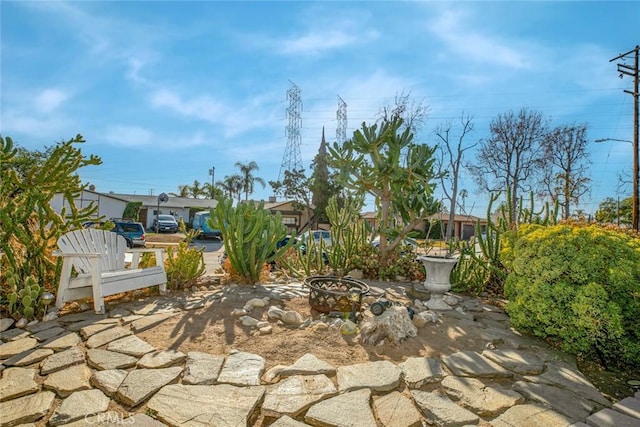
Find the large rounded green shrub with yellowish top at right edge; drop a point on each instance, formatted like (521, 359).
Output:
(578, 286)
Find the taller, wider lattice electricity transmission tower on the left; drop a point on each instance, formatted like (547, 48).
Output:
(292, 159)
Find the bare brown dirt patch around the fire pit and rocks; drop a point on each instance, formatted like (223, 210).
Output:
(214, 330)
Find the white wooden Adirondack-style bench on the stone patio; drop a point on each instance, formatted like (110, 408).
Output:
(100, 268)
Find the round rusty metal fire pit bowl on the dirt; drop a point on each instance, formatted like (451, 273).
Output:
(341, 294)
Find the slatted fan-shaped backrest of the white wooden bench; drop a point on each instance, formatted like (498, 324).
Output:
(109, 245)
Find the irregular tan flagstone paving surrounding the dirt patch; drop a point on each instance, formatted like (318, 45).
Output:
(86, 363)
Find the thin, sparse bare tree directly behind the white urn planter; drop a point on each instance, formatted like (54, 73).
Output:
(450, 161)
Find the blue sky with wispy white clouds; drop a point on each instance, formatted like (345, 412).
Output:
(162, 91)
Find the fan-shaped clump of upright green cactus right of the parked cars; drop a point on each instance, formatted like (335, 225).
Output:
(250, 234)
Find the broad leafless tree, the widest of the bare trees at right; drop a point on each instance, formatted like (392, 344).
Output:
(510, 158)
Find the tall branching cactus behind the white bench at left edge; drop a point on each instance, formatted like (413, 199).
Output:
(30, 225)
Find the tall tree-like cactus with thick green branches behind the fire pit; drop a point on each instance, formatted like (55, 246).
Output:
(382, 160)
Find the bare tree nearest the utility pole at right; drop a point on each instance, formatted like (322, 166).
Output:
(565, 166)
